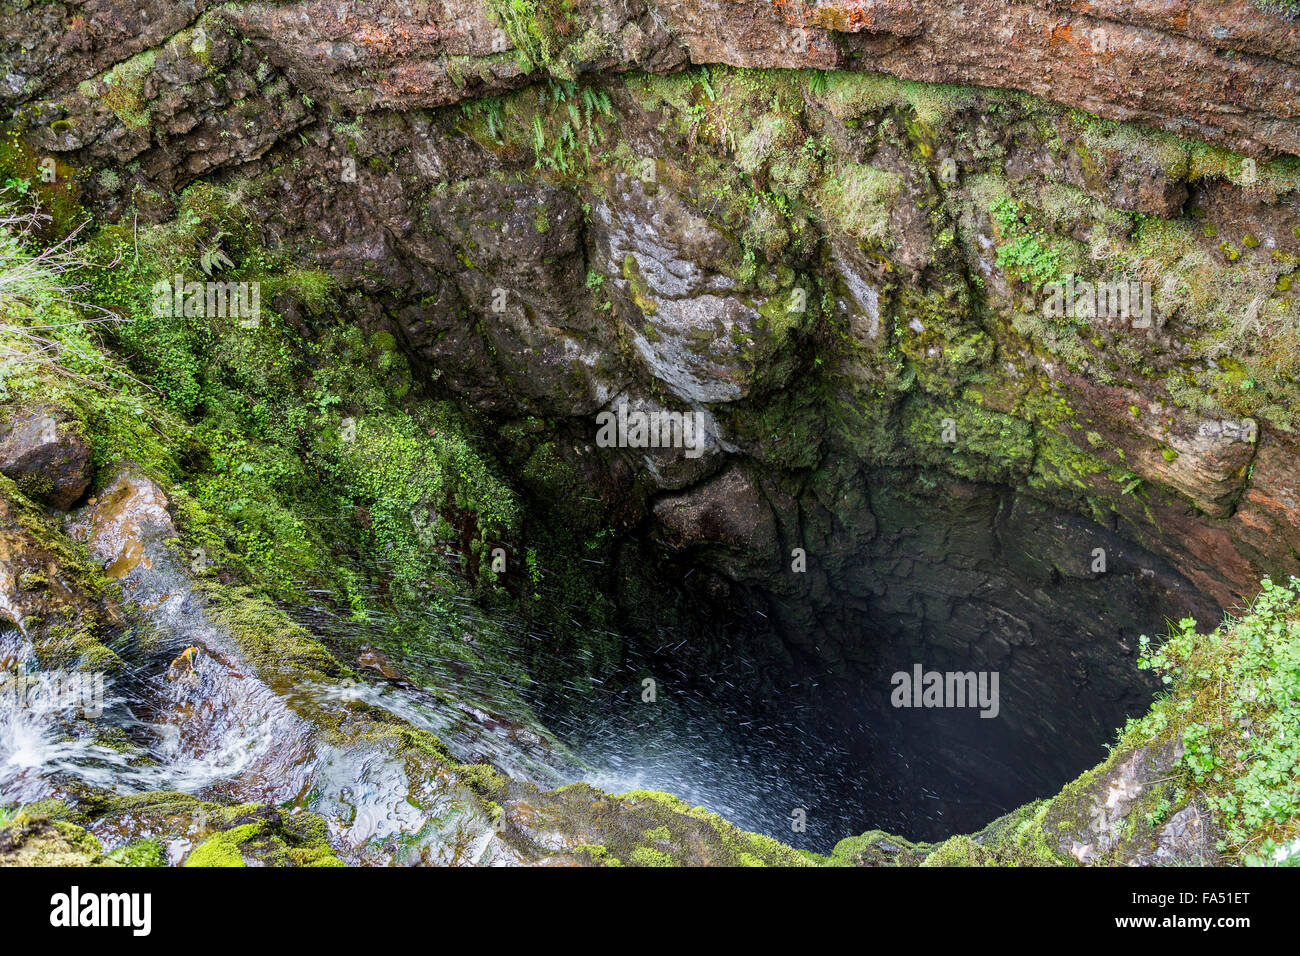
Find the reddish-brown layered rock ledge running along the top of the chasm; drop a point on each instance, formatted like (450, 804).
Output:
(1219, 71)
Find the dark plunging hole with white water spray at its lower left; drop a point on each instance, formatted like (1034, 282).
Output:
(779, 713)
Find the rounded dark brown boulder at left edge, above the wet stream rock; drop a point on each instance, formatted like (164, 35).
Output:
(45, 453)
